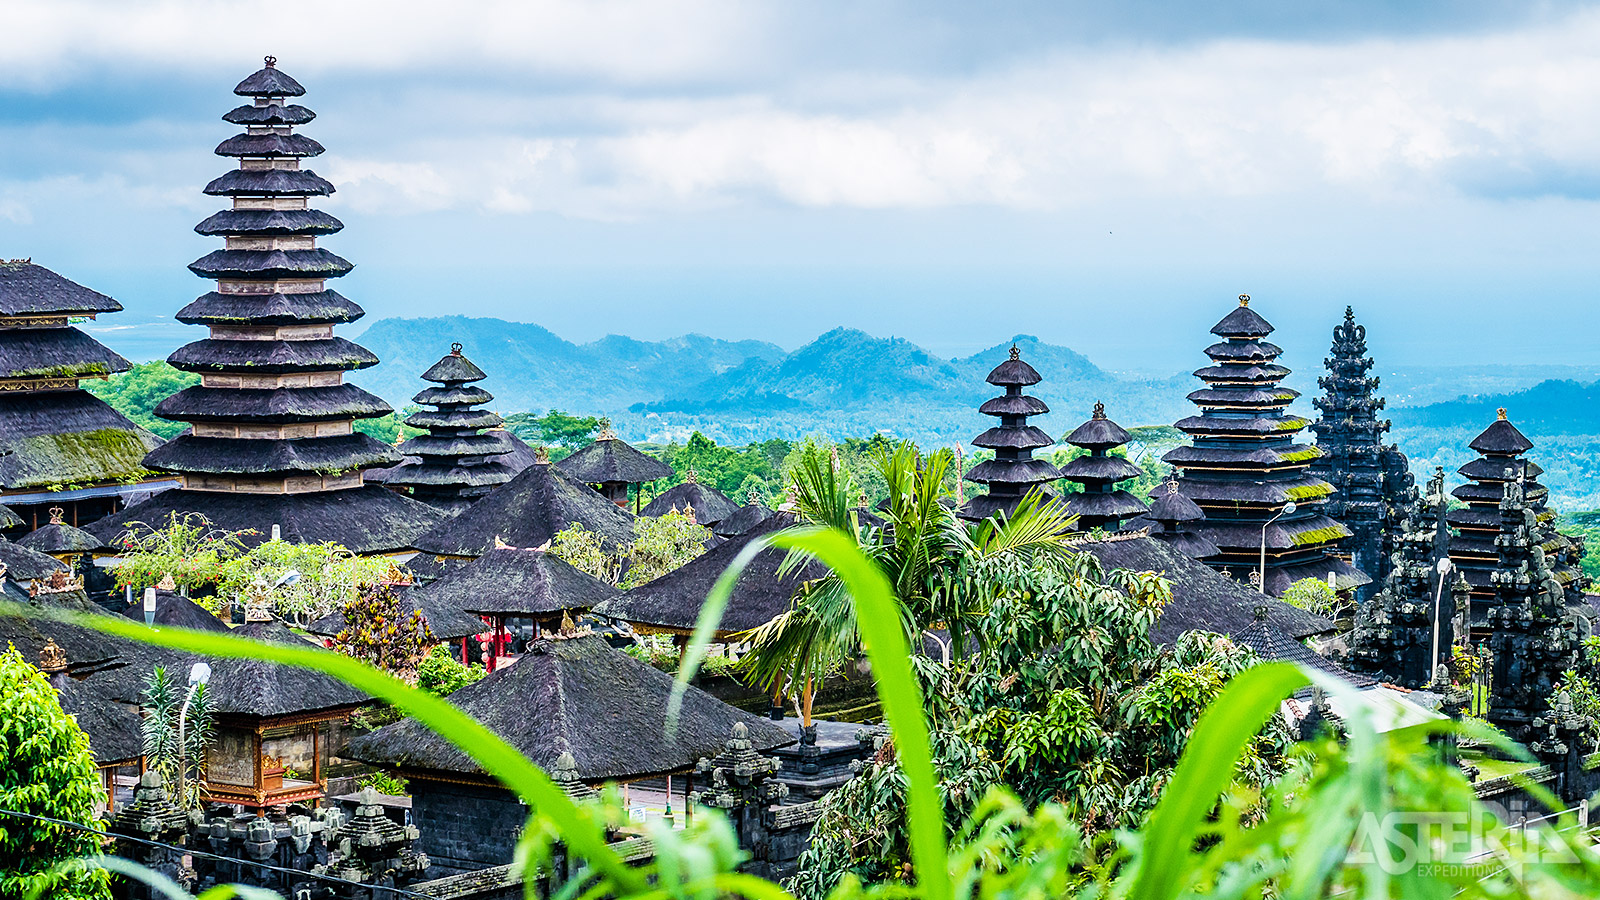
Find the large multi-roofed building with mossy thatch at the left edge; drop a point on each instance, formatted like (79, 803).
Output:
(60, 446)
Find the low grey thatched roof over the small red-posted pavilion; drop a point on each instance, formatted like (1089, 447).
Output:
(518, 582)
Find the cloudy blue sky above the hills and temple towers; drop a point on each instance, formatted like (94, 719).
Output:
(1102, 175)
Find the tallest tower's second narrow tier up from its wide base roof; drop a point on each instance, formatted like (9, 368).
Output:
(271, 406)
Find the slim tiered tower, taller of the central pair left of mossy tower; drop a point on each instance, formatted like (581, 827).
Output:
(1014, 473)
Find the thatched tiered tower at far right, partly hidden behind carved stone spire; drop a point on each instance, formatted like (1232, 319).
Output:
(1476, 548)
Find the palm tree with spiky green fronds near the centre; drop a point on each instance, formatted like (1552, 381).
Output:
(922, 548)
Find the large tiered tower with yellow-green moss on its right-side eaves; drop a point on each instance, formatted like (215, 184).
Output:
(1244, 468)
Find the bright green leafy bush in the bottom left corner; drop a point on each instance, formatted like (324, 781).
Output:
(46, 769)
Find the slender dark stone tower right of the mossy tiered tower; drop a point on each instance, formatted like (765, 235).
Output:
(1372, 481)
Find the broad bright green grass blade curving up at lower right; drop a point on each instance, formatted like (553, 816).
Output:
(1206, 771)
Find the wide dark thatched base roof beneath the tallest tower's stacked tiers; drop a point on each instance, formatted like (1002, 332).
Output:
(367, 520)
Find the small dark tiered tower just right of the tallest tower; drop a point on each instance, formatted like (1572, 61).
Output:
(457, 462)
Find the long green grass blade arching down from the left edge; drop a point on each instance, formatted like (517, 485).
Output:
(580, 829)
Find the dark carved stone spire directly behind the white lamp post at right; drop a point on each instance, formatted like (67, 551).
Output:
(1394, 630)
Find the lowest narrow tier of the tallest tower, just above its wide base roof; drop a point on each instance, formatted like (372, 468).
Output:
(258, 456)
